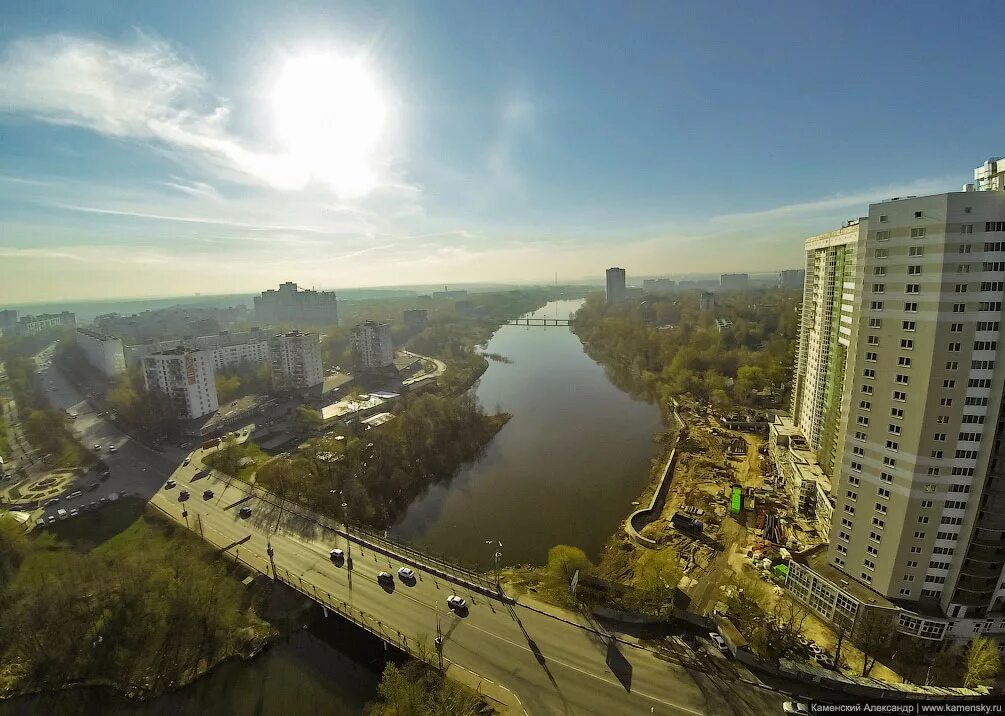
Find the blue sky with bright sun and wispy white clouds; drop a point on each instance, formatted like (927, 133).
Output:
(166, 149)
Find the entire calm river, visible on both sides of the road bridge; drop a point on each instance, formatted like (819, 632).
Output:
(564, 470)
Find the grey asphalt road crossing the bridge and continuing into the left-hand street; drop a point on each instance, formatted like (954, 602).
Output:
(553, 666)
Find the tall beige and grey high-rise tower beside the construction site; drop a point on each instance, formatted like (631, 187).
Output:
(919, 471)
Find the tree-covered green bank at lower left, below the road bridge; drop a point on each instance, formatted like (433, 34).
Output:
(119, 597)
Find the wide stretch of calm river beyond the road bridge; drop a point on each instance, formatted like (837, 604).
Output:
(564, 470)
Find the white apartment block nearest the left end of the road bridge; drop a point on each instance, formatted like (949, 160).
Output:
(185, 377)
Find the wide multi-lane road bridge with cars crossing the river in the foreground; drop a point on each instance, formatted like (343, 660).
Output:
(526, 656)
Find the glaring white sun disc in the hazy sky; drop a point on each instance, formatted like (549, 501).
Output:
(331, 115)
